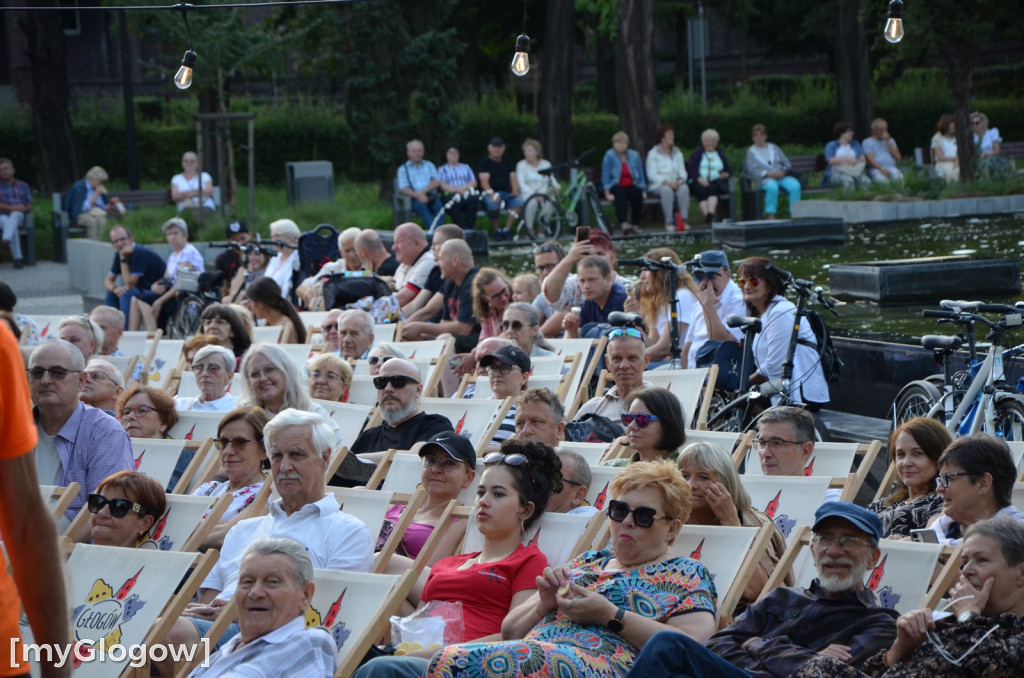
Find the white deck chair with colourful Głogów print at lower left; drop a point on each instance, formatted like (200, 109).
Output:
(134, 591)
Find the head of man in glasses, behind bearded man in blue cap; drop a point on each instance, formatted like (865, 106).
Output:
(786, 442)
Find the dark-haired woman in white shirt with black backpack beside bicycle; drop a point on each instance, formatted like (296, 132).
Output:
(764, 294)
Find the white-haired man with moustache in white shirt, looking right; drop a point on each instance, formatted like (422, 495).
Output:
(300, 446)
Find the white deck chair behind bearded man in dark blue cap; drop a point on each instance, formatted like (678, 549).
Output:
(902, 579)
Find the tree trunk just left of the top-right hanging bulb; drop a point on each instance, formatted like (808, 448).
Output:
(852, 69)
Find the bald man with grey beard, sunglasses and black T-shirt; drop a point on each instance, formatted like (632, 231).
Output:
(400, 387)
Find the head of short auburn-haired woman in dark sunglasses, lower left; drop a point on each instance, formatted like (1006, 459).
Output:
(124, 508)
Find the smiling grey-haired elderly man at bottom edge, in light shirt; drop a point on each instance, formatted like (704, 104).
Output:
(276, 587)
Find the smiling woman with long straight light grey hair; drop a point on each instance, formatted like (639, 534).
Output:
(272, 382)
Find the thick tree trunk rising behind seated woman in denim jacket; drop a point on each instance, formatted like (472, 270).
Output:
(635, 83)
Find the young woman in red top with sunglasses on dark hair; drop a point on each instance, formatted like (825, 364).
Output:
(514, 493)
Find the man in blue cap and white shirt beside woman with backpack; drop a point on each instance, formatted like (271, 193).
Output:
(719, 299)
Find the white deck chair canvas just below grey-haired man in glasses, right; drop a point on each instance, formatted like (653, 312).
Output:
(790, 501)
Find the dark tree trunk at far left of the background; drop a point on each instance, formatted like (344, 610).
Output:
(60, 162)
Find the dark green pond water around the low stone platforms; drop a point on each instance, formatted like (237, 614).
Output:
(990, 238)
